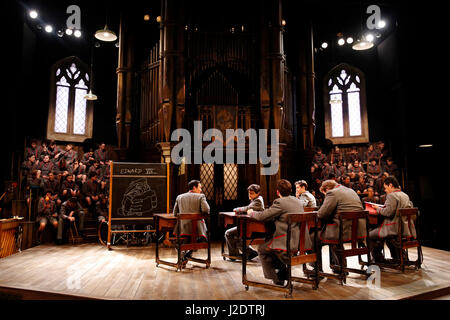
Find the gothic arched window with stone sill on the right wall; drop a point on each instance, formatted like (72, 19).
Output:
(345, 106)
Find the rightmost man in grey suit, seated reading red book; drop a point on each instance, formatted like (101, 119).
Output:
(395, 199)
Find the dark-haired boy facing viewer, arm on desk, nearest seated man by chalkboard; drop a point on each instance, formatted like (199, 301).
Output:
(234, 243)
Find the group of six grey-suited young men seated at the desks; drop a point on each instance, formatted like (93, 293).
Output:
(272, 254)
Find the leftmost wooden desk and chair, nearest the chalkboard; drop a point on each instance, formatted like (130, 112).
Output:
(192, 245)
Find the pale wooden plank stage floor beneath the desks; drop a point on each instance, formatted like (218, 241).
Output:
(90, 271)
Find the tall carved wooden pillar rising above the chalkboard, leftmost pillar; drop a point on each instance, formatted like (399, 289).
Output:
(124, 83)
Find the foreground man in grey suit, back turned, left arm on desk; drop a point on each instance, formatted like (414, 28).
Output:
(272, 254)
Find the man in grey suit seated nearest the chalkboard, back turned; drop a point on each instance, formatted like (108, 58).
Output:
(193, 201)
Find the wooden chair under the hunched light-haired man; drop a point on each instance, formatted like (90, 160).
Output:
(355, 250)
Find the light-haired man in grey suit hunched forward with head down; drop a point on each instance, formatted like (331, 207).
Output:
(338, 198)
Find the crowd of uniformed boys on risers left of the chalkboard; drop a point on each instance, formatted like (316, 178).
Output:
(66, 182)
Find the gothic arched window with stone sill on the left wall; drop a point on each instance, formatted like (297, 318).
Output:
(70, 116)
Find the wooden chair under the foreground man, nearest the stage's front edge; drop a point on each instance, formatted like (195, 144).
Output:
(300, 257)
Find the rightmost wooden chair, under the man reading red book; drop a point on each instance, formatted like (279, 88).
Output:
(404, 243)
